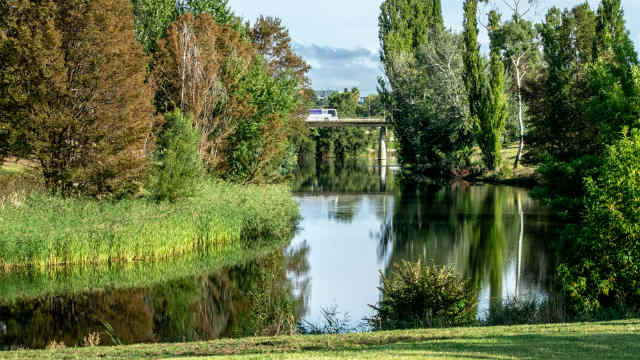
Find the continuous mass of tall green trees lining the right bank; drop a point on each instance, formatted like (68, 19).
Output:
(568, 88)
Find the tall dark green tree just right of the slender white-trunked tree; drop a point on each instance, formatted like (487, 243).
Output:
(558, 127)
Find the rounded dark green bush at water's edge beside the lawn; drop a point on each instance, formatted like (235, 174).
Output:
(417, 296)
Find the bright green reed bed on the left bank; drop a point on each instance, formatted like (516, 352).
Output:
(44, 231)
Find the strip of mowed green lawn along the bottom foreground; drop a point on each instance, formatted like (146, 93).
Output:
(606, 340)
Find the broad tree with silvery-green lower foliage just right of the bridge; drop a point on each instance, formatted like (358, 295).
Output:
(424, 91)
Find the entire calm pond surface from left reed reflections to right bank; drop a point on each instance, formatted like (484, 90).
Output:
(357, 222)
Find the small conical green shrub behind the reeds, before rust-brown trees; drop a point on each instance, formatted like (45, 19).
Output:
(177, 164)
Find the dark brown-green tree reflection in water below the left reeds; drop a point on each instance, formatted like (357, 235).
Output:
(255, 298)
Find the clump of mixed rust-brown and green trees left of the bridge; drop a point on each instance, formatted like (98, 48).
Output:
(247, 110)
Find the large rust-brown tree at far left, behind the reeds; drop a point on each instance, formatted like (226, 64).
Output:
(77, 92)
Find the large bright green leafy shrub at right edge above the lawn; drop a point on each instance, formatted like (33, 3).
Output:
(602, 270)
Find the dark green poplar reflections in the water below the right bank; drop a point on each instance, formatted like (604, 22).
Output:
(480, 230)
